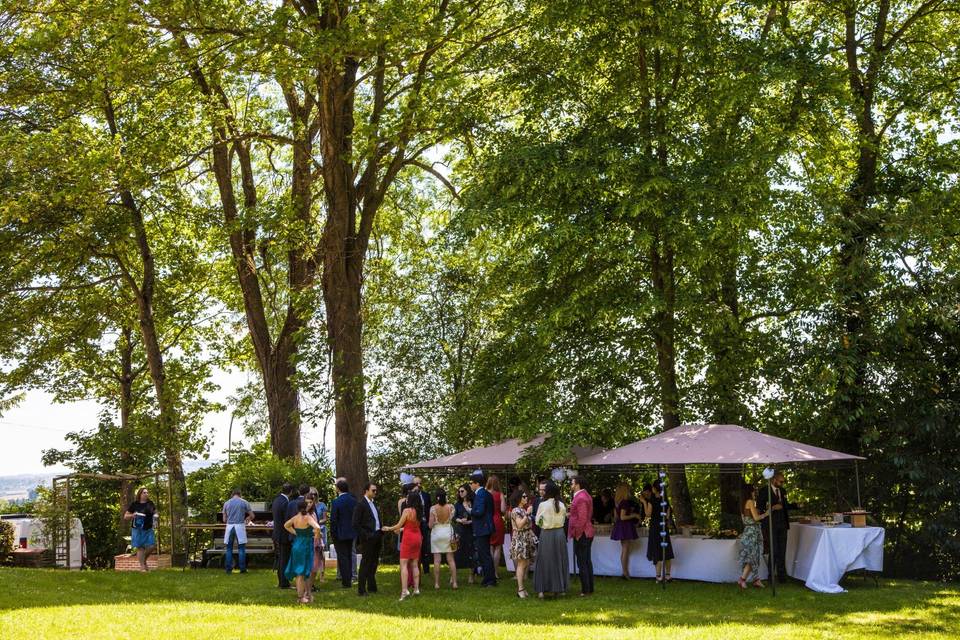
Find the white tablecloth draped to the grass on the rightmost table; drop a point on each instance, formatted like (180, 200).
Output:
(821, 555)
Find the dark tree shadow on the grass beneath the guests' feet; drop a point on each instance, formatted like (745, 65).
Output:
(903, 606)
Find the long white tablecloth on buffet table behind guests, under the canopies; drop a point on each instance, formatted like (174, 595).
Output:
(696, 559)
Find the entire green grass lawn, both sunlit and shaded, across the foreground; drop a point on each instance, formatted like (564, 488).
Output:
(38, 604)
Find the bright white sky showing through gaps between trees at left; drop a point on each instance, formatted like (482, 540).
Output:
(37, 424)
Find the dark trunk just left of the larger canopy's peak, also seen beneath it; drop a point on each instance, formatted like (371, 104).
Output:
(662, 276)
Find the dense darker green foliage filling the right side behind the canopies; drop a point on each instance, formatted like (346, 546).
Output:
(729, 138)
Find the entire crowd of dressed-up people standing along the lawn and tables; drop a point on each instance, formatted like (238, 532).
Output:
(469, 531)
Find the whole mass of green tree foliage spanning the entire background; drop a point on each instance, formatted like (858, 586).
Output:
(704, 210)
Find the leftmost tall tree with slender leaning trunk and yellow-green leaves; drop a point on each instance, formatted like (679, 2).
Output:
(105, 215)
